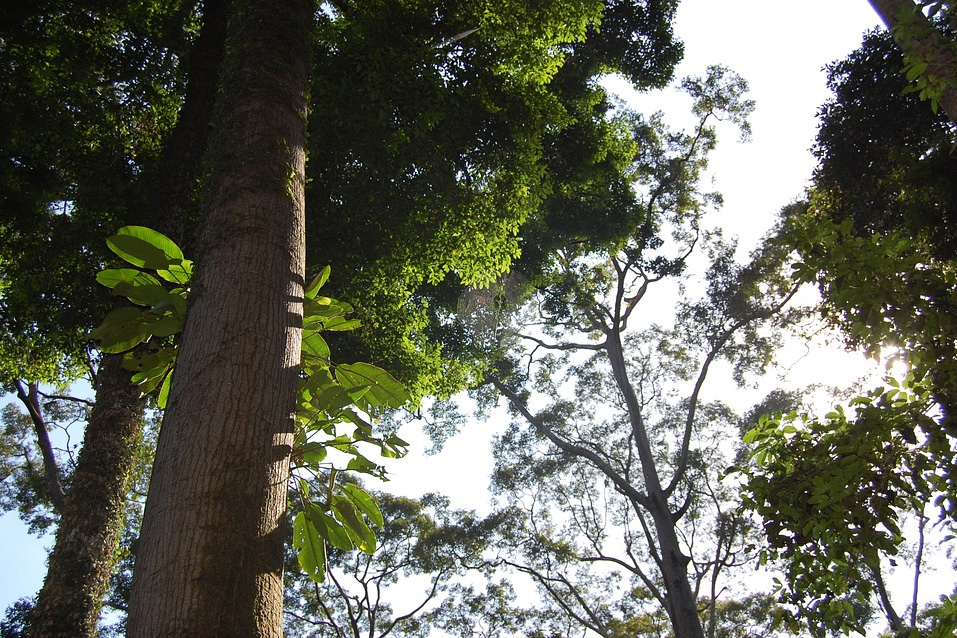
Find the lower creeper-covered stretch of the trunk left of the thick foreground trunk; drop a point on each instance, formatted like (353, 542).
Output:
(90, 523)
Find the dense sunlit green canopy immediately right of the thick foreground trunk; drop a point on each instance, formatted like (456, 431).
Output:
(441, 150)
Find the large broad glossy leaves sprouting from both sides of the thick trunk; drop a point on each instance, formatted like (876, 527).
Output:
(329, 394)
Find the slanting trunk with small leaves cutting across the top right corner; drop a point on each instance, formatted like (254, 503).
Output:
(928, 44)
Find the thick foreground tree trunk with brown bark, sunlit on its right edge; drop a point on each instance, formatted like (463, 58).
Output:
(211, 548)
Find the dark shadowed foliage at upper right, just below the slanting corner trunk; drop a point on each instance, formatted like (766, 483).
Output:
(886, 161)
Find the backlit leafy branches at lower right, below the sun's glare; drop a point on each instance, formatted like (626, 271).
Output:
(831, 492)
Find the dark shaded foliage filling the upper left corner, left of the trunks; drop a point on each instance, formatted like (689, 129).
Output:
(86, 96)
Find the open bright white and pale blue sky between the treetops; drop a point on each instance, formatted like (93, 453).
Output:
(781, 49)
